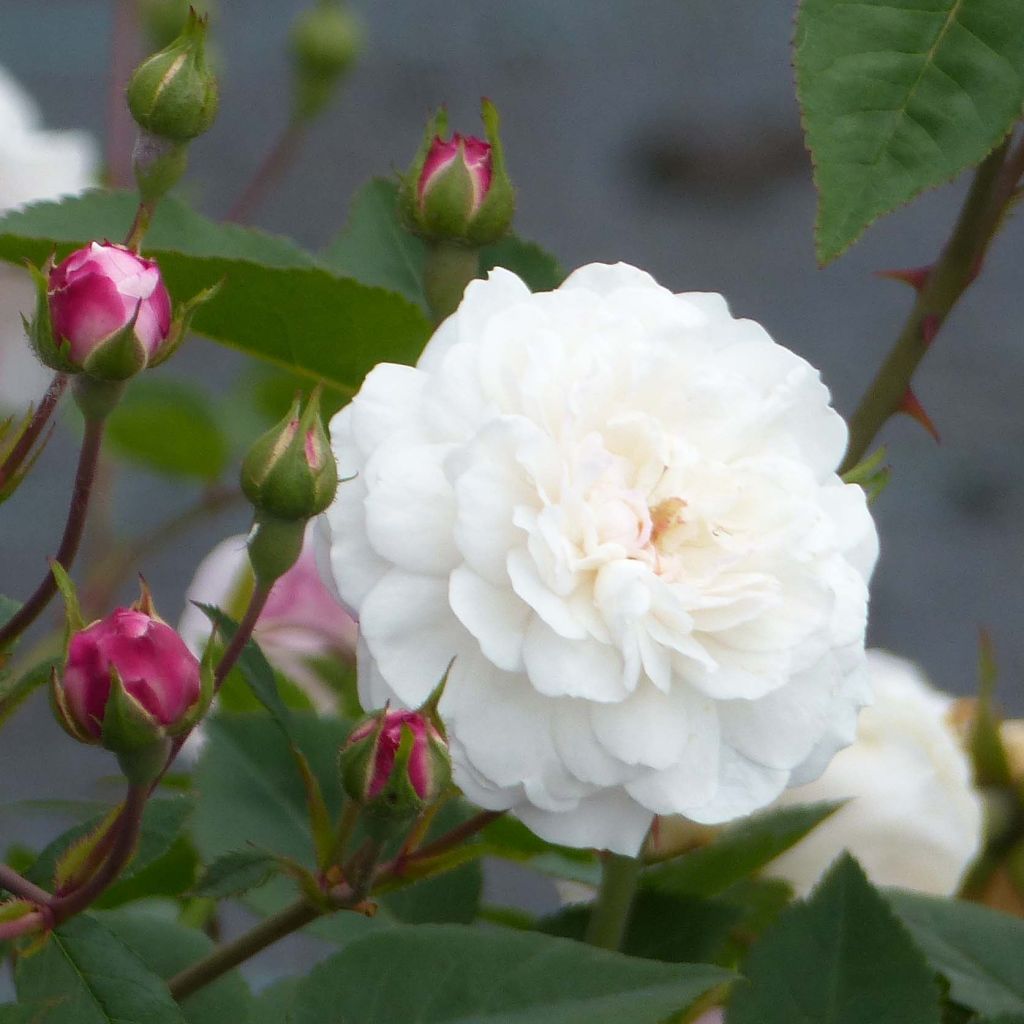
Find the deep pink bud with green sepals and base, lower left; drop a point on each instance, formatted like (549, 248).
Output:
(130, 685)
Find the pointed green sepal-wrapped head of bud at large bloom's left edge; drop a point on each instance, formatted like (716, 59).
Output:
(290, 474)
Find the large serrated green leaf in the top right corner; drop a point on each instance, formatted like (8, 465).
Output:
(902, 96)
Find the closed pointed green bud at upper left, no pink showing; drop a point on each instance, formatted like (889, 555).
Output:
(174, 94)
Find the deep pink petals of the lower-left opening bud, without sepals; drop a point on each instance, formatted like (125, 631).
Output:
(156, 670)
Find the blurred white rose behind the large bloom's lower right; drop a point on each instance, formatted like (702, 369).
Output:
(914, 819)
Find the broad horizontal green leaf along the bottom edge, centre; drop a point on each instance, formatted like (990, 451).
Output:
(455, 975)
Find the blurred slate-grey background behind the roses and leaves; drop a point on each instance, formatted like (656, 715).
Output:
(663, 134)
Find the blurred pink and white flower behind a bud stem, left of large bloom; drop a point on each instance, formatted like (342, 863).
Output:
(302, 620)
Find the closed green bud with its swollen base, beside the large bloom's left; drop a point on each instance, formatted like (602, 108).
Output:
(289, 477)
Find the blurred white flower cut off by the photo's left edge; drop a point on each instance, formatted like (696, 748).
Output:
(35, 164)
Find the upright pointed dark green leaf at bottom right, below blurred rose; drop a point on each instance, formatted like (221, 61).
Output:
(842, 958)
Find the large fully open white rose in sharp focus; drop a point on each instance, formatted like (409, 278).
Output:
(614, 511)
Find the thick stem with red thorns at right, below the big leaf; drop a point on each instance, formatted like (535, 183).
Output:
(993, 189)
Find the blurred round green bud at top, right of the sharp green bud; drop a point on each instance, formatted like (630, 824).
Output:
(326, 41)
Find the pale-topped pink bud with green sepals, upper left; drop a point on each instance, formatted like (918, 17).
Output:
(104, 312)
